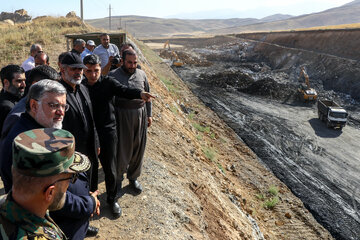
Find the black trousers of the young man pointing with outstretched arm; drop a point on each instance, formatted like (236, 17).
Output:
(108, 146)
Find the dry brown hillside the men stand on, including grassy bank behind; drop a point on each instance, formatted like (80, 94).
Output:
(200, 180)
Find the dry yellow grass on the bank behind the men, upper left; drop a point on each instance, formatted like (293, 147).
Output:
(48, 31)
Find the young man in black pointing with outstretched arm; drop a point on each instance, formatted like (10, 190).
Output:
(102, 90)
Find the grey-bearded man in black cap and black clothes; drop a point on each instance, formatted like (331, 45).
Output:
(79, 118)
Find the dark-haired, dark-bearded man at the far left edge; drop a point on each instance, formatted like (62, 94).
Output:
(13, 81)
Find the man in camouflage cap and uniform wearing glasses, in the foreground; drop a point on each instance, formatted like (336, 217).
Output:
(44, 161)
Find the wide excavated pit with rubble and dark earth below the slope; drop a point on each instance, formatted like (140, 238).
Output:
(252, 85)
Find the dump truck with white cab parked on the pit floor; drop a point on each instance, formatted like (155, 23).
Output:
(332, 114)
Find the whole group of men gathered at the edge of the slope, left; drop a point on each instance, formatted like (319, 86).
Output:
(107, 113)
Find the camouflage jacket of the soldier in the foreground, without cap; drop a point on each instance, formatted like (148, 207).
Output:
(18, 223)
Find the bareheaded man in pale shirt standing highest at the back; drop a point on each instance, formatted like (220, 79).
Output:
(107, 52)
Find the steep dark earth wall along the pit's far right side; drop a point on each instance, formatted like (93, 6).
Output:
(331, 57)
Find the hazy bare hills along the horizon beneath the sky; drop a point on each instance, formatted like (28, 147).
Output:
(148, 27)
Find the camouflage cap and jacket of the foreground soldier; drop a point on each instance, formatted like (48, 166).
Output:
(38, 153)
